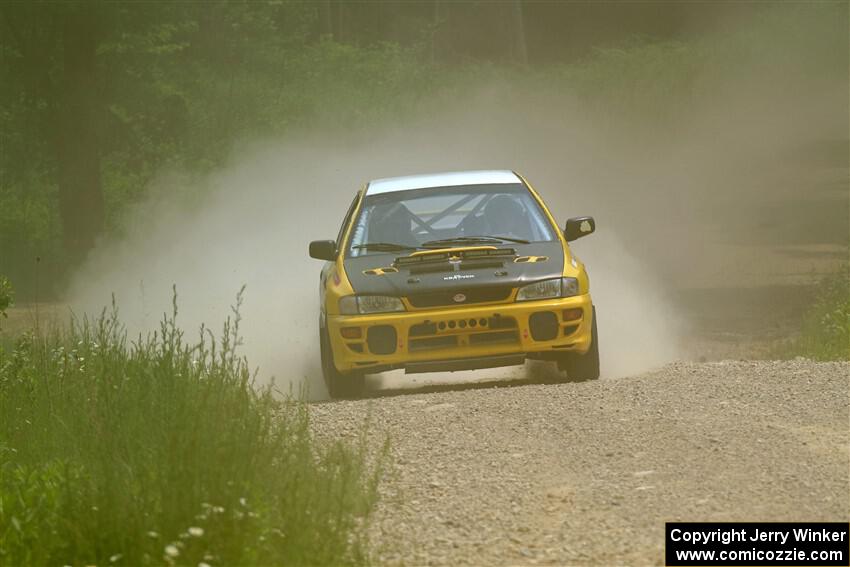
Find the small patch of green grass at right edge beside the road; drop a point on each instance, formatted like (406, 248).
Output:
(825, 333)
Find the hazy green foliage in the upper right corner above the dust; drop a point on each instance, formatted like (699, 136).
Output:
(659, 82)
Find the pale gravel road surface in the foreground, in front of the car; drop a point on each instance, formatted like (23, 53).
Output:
(589, 472)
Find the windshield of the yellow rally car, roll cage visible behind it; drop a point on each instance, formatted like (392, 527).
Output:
(448, 216)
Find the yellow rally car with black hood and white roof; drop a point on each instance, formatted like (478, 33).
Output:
(452, 271)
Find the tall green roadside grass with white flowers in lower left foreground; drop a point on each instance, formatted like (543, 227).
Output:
(163, 450)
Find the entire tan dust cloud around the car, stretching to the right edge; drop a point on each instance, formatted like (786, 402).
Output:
(667, 199)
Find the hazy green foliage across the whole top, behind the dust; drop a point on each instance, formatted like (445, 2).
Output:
(181, 83)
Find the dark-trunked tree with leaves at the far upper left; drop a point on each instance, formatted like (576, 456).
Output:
(53, 49)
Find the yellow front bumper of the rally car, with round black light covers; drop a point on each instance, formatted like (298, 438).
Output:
(533, 329)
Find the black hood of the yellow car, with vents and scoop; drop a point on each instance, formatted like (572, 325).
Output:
(508, 266)
